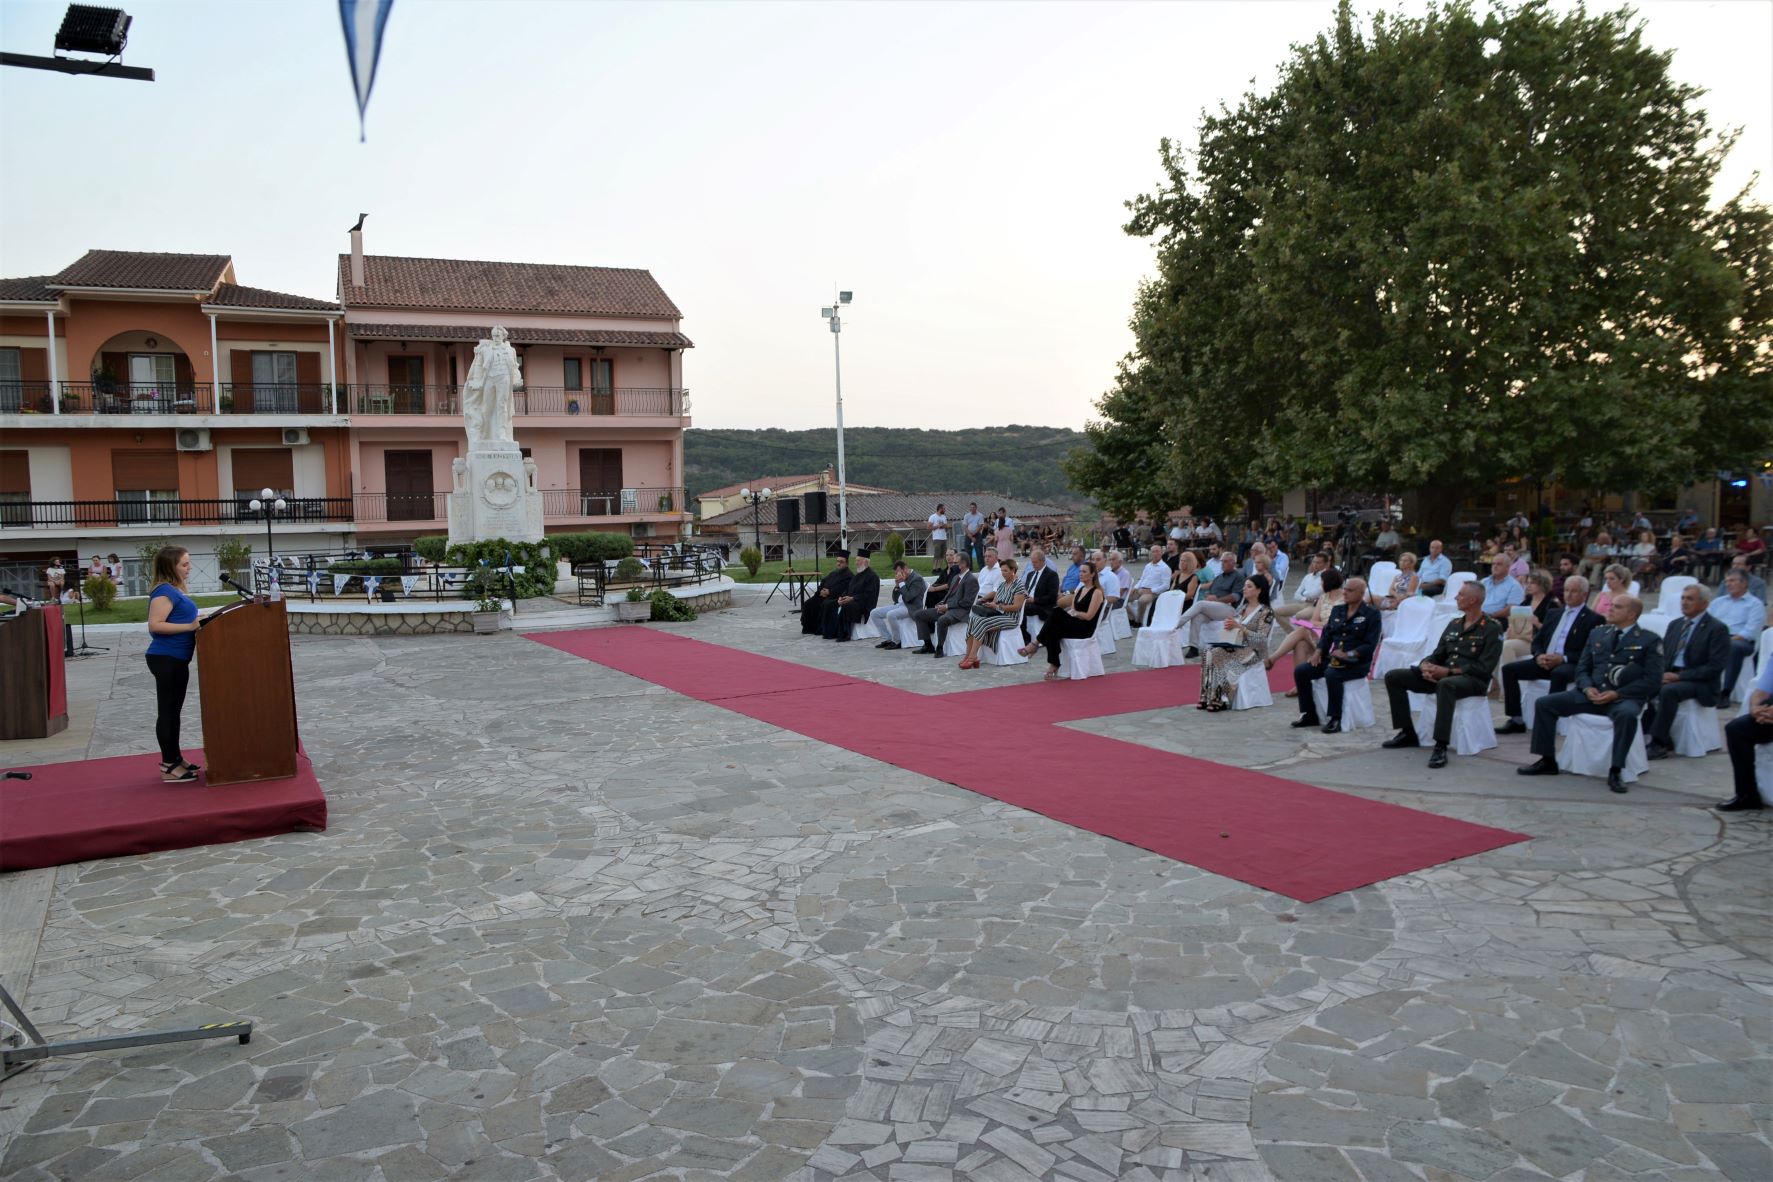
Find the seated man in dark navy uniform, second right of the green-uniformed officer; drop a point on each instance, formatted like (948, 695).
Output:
(1620, 673)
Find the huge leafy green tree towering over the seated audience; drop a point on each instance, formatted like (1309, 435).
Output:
(1448, 251)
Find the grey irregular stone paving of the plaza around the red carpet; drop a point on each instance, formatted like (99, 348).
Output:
(572, 926)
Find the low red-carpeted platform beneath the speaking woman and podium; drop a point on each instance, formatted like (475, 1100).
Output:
(109, 807)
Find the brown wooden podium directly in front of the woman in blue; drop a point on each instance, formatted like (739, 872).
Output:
(249, 694)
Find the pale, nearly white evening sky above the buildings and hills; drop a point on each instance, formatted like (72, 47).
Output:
(962, 167)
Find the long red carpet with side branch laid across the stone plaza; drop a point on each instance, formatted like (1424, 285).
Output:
(1285, 837)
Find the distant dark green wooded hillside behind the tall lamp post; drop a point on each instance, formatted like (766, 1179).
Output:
(1017, 462)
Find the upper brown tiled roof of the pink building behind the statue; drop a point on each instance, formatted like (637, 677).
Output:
(473, 284)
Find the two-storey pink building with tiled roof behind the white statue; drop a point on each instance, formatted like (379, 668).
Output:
(604, 408)
